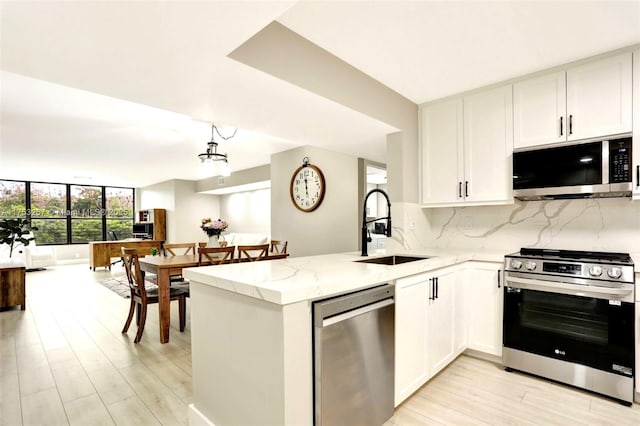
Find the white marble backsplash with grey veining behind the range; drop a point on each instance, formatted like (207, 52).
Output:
(584, 224)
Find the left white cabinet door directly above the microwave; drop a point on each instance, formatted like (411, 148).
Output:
(539, 106)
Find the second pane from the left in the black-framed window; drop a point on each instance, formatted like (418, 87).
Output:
(49, 212)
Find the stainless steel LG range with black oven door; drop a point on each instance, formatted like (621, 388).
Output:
(569, 316)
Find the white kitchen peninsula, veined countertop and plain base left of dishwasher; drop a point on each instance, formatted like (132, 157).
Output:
(251, 330)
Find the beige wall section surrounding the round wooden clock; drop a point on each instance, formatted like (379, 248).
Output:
(332, 227)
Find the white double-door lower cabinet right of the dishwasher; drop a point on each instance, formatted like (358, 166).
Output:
(429, 328)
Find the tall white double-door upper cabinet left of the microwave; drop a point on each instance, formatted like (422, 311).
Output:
(466, 149)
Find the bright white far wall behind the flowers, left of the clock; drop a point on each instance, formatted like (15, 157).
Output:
(248, 211)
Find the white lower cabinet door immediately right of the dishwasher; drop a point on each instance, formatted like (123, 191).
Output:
(411, 335)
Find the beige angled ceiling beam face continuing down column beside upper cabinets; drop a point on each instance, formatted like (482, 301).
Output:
(327, 75)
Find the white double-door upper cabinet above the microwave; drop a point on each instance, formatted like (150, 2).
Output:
(586, 101)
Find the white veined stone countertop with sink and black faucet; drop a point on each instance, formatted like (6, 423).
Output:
(298, 279)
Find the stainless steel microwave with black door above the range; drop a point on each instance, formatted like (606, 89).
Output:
(575, 170)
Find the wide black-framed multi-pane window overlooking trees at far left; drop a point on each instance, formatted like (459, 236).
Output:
(68, 214)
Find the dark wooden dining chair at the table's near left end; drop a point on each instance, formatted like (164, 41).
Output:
(141, 297)
